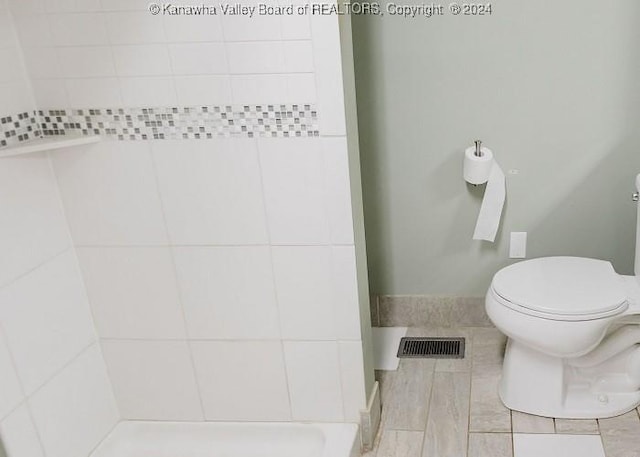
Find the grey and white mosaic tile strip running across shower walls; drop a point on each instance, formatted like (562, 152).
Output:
(195, 122)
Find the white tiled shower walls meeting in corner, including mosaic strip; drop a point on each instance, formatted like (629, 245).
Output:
(196, 247)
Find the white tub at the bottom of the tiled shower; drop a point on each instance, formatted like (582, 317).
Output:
(219, 439)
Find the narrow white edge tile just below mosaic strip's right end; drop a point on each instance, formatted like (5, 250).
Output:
(335, 154)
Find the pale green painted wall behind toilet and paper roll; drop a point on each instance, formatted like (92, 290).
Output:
(553, 88)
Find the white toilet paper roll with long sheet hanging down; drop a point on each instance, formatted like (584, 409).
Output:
(478, 169)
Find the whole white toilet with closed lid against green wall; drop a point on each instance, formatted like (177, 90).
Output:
(574, 336)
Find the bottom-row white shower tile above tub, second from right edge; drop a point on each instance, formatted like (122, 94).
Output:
(313, 373)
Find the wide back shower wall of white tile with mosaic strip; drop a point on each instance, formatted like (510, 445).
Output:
(213, 223)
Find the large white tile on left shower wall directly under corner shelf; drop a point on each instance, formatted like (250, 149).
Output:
(33, 227)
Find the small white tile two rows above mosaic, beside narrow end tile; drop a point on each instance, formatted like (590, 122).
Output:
(256, 57)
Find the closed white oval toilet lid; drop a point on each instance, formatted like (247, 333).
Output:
(561, 286)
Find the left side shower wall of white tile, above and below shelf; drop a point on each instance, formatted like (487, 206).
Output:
(55, 395)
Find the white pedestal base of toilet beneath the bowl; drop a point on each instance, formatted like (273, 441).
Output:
(536, 383)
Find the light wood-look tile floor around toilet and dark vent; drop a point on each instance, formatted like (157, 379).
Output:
(450, 408)
